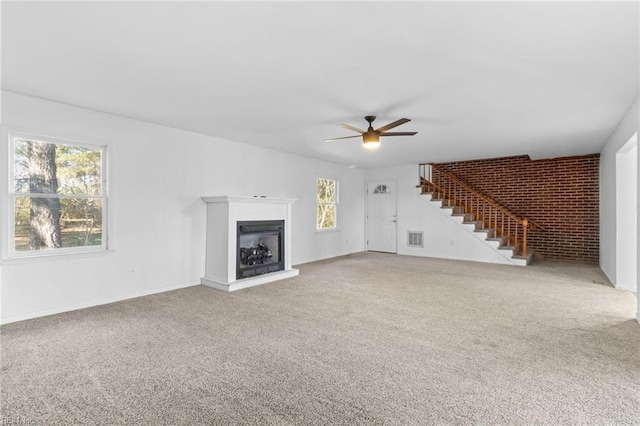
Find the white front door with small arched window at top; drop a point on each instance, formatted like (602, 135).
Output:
(381, 216)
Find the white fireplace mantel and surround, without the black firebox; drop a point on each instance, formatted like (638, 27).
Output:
(223, 213)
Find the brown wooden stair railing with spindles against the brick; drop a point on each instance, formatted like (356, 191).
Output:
(447, 186)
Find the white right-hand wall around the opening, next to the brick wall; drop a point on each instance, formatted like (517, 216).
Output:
(608, 229)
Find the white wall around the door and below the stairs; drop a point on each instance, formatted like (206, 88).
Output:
(443, 238)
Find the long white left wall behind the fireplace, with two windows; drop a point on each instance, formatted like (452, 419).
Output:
(158, 175)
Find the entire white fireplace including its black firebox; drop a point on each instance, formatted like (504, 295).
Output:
(248, 241)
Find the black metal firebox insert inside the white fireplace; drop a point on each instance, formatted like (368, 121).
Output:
(260, 248)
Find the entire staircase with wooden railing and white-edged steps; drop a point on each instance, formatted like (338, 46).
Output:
(500, 228)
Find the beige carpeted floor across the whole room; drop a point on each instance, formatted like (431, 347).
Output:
(369, 338)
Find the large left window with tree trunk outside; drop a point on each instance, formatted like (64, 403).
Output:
(57, 195)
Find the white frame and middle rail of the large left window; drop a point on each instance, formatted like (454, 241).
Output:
(9, 251)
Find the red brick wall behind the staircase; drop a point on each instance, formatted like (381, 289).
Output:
(560, 194)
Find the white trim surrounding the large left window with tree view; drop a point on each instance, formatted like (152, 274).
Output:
(8, 253)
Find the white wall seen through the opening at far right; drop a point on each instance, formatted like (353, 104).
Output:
(626, 215)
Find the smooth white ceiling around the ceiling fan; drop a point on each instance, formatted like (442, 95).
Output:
(477, 79)
